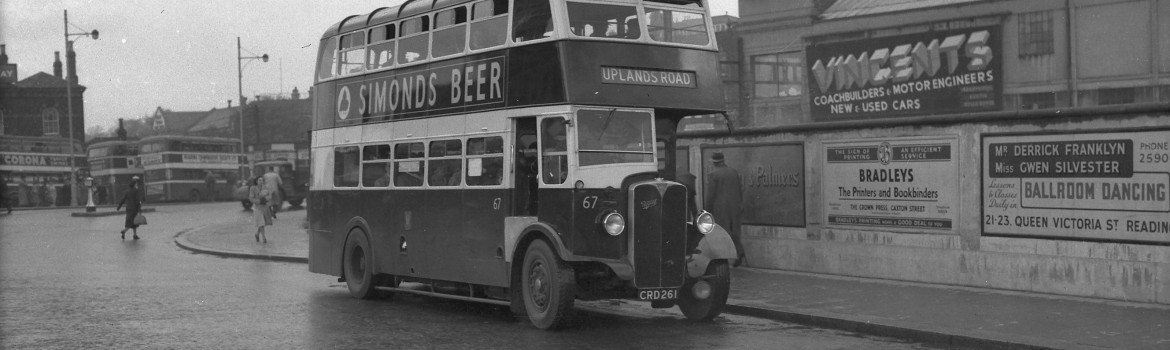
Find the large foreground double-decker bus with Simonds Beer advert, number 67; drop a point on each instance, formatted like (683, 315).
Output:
(508, 152)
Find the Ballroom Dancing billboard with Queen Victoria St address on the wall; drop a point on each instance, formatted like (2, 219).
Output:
(1111, 186)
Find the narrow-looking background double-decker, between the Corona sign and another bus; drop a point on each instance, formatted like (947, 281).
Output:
(114, 164)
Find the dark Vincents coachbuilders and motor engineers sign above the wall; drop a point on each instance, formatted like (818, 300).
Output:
(907, 76)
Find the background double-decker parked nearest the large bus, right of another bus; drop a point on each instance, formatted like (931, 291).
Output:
(176, 167)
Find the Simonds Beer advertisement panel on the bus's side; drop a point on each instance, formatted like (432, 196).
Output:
(424, 91)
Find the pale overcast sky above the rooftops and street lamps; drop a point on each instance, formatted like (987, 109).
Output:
(181, 56)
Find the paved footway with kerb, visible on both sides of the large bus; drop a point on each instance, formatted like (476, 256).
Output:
(942, 315)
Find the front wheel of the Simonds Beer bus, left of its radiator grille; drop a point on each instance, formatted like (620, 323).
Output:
(548, 287)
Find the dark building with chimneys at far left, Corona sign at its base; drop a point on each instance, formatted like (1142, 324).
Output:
(40, 141)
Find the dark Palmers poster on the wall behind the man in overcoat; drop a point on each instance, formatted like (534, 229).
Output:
(773, 181)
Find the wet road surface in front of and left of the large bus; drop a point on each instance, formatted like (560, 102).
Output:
(72, 284)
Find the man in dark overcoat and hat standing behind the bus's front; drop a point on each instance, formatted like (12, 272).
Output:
(724, 195)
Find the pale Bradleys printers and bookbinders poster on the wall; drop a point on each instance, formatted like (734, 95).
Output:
(907, 184)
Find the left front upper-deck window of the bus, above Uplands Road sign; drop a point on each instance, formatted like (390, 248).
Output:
(597, 20)
